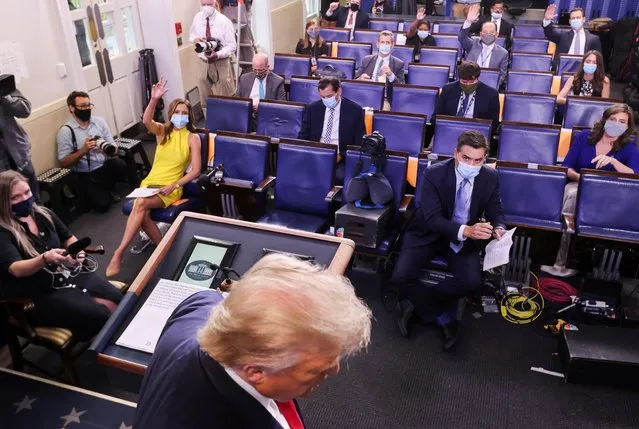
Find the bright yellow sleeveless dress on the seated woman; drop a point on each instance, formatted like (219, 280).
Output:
(171, 161)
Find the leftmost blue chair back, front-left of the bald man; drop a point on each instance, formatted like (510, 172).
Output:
(228, 114)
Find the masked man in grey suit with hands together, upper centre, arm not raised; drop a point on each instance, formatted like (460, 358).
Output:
(383, 67)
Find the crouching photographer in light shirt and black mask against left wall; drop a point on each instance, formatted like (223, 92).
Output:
(86, 146)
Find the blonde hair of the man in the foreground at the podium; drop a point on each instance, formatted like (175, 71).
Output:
(281, 310)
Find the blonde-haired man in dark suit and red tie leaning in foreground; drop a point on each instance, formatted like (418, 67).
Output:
(282, 330)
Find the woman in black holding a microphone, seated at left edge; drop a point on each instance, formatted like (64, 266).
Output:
(33, 265)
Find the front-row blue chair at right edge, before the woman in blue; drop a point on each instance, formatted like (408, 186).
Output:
(607, 205)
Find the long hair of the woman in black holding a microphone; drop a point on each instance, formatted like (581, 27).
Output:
(8, 221)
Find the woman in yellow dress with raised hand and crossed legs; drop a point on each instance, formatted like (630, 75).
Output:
(178, 146)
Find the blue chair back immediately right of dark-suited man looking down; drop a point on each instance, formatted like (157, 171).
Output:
(404, 132)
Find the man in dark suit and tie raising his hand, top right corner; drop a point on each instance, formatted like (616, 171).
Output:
(575, 42)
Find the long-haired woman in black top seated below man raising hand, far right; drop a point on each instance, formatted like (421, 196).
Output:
(589, 80)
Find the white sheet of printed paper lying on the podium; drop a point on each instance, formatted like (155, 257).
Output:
(144, 330)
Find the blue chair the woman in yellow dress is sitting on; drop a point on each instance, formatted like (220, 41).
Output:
(192, 195)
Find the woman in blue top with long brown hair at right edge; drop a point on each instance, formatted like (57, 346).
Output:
(607, 147)
